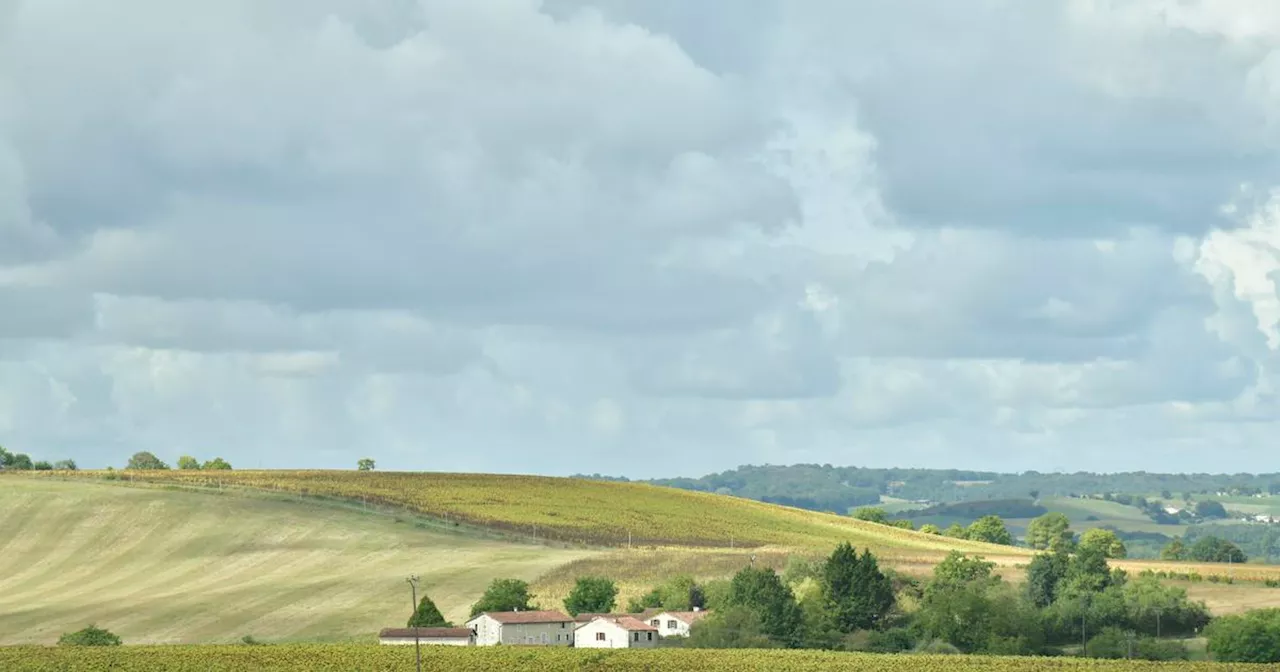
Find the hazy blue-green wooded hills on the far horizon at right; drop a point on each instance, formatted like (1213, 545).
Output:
(838, 490)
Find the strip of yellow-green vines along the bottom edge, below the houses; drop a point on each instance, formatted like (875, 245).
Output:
(371, 659)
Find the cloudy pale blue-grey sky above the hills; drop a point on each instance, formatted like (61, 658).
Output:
(643, 239)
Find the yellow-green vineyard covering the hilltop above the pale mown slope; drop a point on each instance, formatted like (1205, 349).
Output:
(575, 511)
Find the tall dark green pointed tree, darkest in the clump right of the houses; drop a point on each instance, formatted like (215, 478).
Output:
(854, 591)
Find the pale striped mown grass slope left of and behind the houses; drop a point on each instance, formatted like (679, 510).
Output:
(173, 566)
